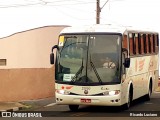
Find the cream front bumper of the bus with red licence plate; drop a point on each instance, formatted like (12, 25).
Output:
(88, 100)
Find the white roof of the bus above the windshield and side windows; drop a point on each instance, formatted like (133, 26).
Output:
(109, 28)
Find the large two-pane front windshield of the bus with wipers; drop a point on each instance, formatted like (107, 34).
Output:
(88, 59)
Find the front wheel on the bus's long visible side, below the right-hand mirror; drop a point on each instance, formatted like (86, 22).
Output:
(129, 100)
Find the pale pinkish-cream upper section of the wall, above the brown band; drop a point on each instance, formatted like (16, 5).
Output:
(29, 49)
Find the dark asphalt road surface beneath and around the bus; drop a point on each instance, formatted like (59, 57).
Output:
(139, 108)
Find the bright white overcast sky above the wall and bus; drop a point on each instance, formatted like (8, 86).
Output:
(21, 15)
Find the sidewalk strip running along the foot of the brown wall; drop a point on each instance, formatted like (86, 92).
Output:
(26, 105)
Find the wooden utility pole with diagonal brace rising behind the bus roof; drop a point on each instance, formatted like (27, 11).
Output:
(98, 10)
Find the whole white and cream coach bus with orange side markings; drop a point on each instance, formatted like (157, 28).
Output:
(105, 65)
